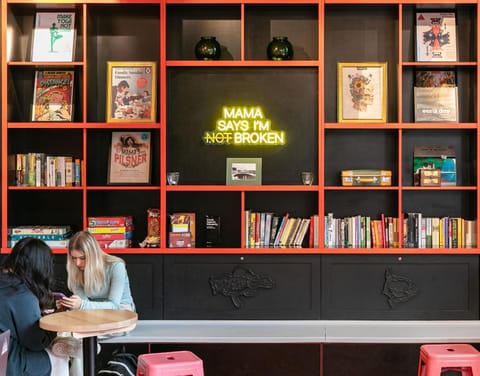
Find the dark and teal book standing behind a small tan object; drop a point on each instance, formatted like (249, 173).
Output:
(440, 157)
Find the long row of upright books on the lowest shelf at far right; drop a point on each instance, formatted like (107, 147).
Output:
(413, 231)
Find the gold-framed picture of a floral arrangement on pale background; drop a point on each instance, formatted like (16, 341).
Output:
(362, 92)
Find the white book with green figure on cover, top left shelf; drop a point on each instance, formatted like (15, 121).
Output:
(54, 37)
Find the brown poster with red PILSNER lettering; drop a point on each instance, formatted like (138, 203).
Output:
(130, 157)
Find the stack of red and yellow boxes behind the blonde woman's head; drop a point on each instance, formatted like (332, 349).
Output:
(112, 232)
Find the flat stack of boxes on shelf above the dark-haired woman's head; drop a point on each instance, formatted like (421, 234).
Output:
(54, 236)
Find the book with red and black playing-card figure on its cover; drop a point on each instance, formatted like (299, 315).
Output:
(436, 37)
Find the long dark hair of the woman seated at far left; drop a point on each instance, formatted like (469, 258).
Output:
(31, 260)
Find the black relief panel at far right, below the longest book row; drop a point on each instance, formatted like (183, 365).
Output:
(403, 287)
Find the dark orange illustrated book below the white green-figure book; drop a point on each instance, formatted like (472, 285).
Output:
(53, 95)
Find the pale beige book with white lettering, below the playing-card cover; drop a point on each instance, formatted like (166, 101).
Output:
(435, 104)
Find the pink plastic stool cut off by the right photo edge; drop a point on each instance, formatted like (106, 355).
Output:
(443, 357)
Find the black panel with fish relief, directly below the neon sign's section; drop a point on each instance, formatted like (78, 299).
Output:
(242, 287)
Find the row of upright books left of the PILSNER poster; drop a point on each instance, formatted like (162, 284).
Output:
(42, 170)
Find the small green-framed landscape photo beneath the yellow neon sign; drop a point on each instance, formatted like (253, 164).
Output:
(244, 171)
